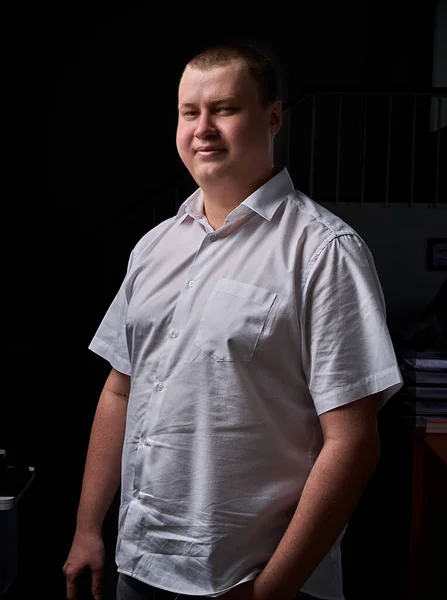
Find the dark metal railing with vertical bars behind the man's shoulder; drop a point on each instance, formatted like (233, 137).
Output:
(388, 147)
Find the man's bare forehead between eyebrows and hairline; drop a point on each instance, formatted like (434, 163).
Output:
(232, 79)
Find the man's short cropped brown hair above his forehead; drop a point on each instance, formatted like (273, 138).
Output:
(257, 63)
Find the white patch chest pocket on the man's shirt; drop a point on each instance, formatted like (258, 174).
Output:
(233, 320)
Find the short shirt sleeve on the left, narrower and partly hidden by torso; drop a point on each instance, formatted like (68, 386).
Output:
(110, 339)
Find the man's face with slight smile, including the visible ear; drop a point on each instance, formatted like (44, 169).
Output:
(224, 133)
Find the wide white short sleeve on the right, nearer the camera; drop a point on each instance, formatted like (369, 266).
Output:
(347, 349)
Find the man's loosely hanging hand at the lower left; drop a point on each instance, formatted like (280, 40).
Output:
(86, 554)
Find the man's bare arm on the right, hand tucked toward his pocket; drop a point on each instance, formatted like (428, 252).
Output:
(349, 456)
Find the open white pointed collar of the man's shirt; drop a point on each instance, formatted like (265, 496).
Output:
(264, 201)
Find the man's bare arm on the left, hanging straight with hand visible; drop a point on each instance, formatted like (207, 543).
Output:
(100, 483)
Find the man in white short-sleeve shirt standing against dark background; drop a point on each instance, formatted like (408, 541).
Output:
(250, 353)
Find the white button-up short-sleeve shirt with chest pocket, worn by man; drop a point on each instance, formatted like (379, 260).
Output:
(236, 340)
